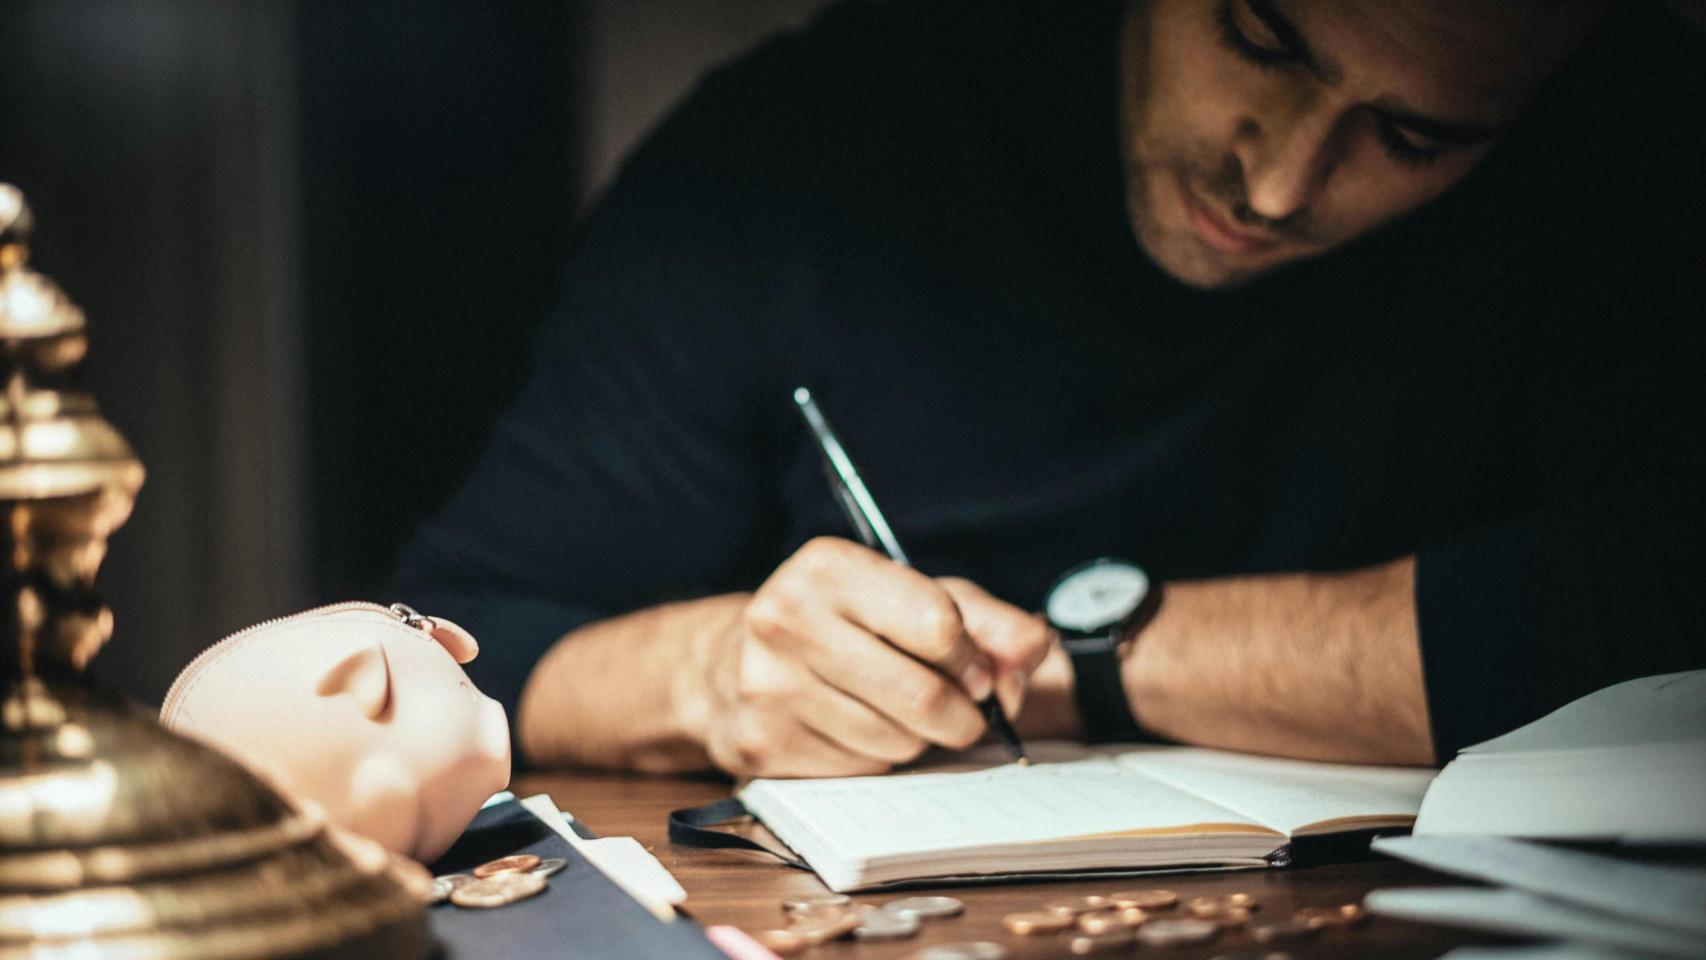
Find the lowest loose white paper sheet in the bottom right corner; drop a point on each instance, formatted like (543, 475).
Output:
(1526, 915)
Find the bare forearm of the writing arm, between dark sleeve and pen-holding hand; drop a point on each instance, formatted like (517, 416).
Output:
(629, 691)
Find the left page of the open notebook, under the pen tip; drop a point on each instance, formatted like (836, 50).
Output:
(886, 816)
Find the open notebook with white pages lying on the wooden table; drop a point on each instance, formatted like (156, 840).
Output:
(1163, 807)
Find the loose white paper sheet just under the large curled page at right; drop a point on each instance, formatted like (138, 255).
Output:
(1668, 896)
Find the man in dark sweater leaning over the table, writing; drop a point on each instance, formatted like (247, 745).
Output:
(1183, 282)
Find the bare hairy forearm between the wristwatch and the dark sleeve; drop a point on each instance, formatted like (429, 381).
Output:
(1304, 666)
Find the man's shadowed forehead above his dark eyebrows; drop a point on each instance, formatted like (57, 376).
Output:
(1471, 61)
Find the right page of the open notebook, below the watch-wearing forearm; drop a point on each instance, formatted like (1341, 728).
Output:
(1287, 795)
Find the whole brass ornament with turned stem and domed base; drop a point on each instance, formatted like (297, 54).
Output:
(119, 838)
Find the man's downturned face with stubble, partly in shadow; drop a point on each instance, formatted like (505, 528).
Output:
(1262, 132)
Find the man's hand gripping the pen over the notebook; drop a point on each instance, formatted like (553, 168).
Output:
(847, 662)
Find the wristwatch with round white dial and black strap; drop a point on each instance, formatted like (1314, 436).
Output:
(1096, 606)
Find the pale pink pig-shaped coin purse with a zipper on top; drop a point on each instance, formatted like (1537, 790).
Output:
(361, 710)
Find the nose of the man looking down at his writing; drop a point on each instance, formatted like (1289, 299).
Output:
(1287, 159)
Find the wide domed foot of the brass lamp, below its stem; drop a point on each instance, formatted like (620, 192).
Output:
(120, 840)
